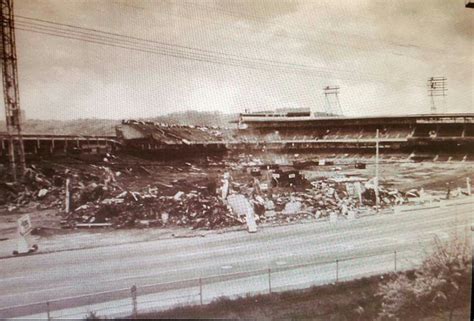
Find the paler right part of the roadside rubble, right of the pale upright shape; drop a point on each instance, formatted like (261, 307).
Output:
(285, 194)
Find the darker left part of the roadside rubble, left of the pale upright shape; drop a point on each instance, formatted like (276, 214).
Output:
(97, 198)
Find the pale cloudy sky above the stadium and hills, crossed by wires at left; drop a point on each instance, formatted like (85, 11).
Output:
(380, 53)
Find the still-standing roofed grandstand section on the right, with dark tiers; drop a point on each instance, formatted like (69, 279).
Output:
(432, 135)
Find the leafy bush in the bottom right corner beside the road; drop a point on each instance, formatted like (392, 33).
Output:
(442, 284)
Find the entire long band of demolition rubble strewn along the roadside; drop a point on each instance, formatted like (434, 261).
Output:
(242, 191)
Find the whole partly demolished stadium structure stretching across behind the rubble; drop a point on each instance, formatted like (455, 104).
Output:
(421, 136)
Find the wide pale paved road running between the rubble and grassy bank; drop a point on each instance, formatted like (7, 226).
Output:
(28, 282)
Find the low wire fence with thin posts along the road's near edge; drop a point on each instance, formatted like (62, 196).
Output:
(199, 291)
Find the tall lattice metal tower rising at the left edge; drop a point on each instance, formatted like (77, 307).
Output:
(10, 90)
